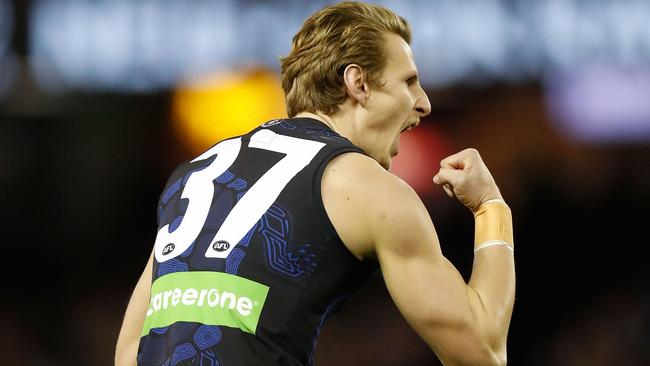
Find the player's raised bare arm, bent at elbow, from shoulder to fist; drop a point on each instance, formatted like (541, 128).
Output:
(376, 214)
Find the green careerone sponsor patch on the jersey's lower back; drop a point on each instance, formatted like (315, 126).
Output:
(211, 298)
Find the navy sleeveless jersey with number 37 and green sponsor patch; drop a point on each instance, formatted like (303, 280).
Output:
(247, 263)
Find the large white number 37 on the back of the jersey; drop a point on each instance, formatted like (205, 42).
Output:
(250, 208)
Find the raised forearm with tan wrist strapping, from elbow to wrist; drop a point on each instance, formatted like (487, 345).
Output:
(493, 274)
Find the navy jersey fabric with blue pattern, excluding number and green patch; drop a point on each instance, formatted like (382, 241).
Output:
(283, 250)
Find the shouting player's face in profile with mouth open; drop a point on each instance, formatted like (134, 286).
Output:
(396, 105)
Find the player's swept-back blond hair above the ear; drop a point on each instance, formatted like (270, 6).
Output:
(330, 40)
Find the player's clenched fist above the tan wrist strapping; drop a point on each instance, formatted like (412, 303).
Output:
(465, 176)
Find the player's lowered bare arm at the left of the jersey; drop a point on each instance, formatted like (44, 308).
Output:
(129, 338)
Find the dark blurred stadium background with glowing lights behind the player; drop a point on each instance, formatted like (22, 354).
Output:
(99, 100)
